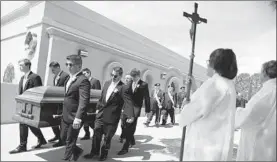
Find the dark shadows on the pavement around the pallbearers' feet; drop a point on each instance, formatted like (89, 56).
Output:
(141, 149)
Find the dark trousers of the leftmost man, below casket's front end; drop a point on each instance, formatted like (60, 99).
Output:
(23, 130)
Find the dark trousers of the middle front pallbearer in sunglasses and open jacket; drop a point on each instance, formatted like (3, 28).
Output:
(100, 129)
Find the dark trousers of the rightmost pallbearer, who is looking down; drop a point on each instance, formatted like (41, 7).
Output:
(129, 131)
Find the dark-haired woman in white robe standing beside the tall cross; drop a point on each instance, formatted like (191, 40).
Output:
(210, 115)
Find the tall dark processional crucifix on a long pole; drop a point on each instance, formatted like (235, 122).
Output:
(195, 19)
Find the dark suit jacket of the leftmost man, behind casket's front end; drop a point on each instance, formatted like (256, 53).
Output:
(33, 80)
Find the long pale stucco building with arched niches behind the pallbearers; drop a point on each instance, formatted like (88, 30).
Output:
(108, 44)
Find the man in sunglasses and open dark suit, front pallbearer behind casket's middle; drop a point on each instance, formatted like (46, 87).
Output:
(114, 96)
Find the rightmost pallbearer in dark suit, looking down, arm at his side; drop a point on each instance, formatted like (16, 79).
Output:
(140, 92)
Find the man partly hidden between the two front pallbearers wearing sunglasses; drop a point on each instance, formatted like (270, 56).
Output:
(94, 84)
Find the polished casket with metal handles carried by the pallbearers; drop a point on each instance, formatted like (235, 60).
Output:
(42, 106)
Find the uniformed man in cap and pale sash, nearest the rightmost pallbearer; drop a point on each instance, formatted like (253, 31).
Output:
(157, 97)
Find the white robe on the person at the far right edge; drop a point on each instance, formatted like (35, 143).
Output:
(258, 125)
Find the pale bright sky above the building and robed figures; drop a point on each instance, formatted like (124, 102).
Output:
(247, 27)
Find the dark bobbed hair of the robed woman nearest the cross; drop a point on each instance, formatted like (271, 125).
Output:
(224, 62)
